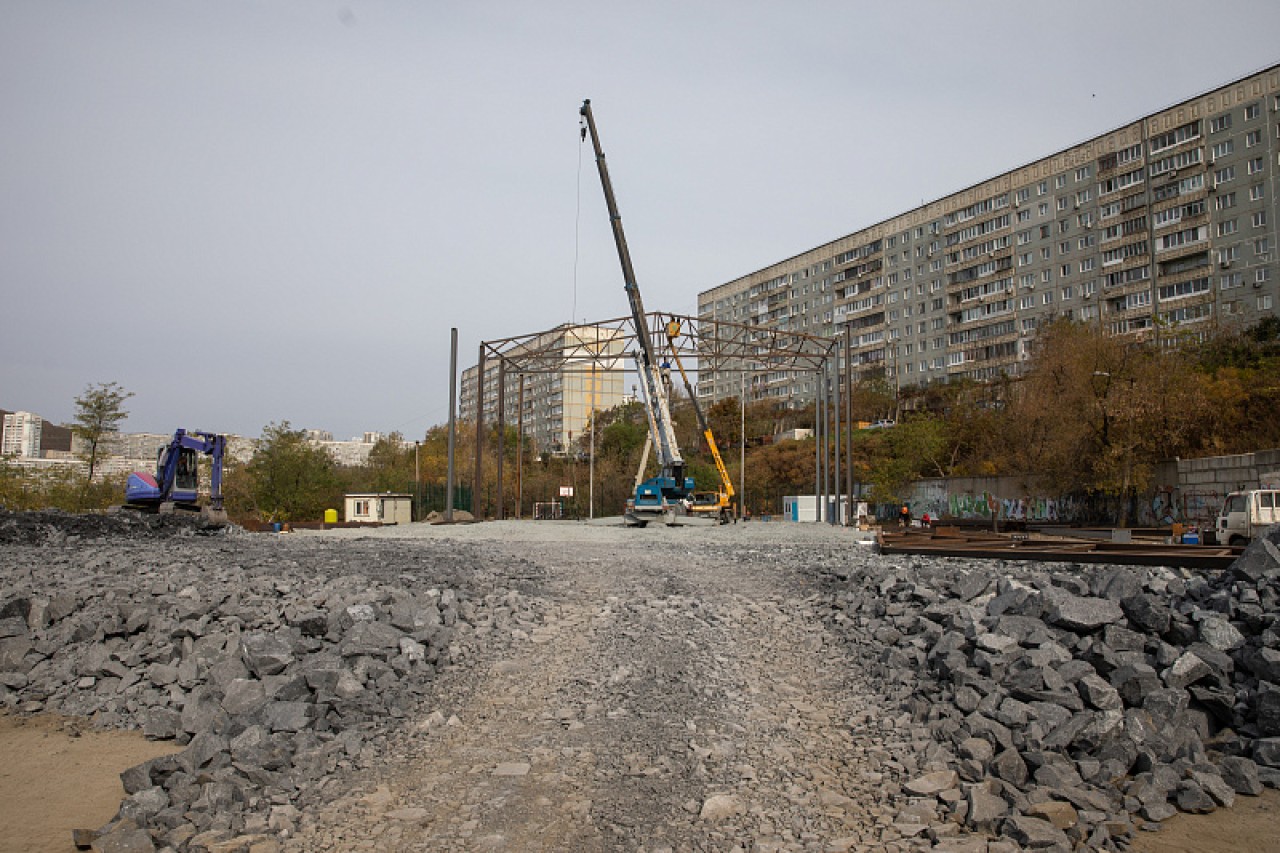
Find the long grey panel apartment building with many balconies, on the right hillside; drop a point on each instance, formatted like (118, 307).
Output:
(1167, 223)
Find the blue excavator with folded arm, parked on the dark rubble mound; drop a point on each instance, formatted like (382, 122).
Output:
(176, 483)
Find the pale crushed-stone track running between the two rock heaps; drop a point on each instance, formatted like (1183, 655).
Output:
(671, 701)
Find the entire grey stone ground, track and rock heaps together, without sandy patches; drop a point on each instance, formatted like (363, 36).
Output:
(588, 687)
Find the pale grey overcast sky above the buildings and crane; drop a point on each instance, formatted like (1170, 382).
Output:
(252, 212)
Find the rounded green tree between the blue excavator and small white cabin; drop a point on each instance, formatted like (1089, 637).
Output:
(290, 477)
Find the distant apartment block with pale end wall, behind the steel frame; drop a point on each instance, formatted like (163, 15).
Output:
(580, 370)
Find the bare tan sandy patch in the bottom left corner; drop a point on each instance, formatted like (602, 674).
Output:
(58, 776)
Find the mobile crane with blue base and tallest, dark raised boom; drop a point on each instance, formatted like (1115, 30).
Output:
(657, 498)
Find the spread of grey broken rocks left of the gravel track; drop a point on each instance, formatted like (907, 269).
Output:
(276, 665)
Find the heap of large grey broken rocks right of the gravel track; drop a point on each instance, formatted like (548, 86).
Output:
(1068, 706)
